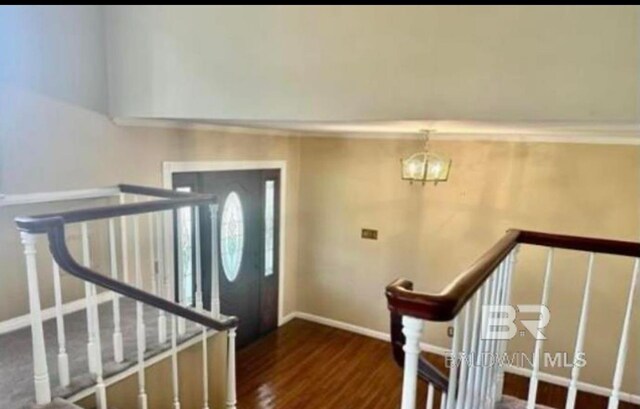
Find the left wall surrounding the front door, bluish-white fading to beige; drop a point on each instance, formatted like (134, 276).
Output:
(49, 145)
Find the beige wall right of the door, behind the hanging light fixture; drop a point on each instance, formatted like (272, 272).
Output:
(429, 234)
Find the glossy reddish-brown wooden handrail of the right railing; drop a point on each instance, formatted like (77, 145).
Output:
(444, 306)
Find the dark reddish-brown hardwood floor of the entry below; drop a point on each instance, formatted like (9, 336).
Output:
(307, 365)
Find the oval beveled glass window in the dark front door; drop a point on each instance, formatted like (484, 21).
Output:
(232, 236)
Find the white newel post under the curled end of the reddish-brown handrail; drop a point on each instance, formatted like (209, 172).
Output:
(412, 329)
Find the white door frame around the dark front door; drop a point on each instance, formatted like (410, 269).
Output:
(170, 168)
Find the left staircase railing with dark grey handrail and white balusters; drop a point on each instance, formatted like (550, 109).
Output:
(158, 208)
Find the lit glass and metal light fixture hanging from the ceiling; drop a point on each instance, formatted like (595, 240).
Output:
(426, 166)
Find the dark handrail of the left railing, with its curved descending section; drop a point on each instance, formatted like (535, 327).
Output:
(54, 226)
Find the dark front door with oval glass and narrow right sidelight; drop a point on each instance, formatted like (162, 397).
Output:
(248, 210)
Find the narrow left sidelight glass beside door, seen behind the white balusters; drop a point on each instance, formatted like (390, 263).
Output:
(185, 251)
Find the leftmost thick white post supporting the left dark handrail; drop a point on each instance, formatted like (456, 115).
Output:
(40, 370)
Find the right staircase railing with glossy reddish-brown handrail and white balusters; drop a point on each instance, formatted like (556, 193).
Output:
(488, 283)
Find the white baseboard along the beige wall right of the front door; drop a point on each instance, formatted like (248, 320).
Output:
(384, 336)
